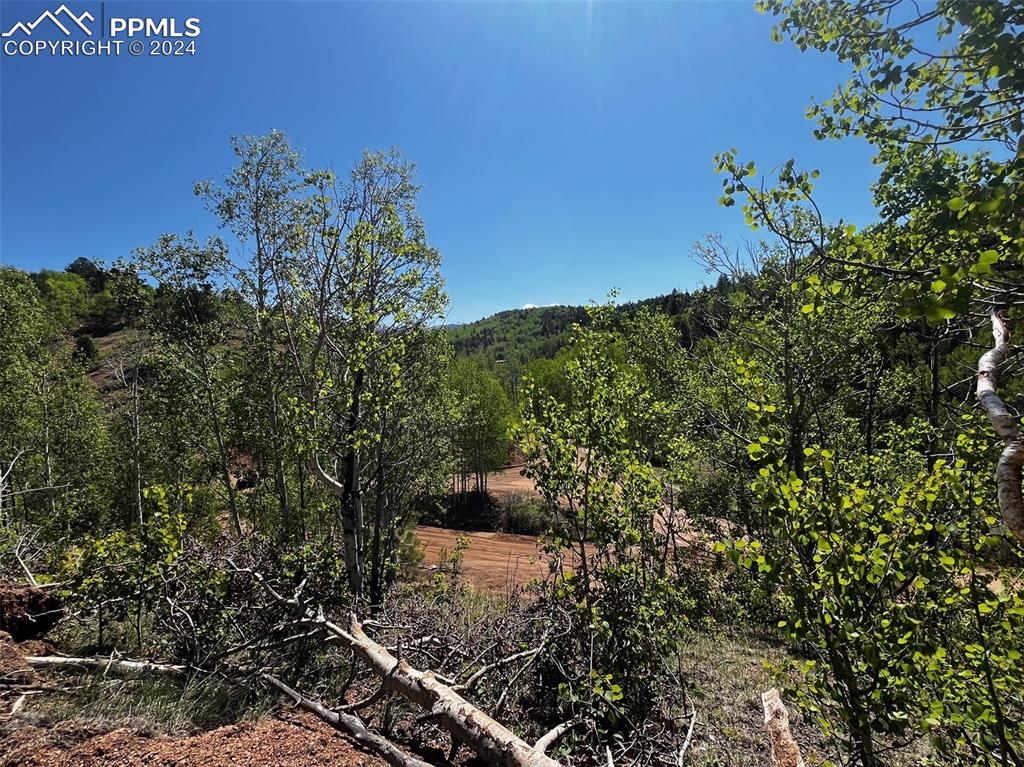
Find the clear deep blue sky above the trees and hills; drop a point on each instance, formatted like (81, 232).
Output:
(564, 149)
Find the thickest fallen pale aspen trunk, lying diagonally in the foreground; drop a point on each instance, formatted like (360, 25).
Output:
(467, 725)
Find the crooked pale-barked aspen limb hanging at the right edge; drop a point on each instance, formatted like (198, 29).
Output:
(1008, 471)
